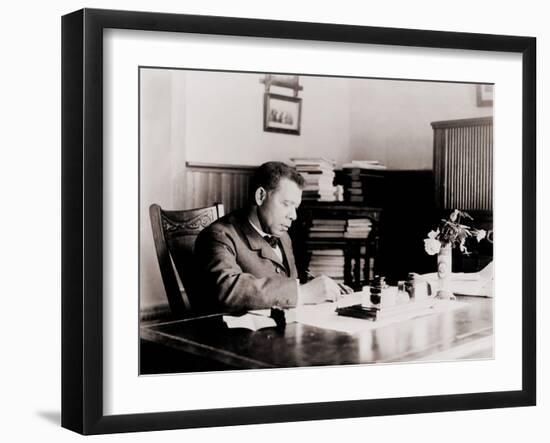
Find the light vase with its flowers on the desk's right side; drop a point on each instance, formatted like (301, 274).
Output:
(451, 233)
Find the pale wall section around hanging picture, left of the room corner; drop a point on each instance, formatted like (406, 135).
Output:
(225, 120)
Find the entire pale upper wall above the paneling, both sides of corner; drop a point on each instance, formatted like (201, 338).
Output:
(342, 119)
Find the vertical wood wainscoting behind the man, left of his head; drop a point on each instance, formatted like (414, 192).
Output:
(208, 183)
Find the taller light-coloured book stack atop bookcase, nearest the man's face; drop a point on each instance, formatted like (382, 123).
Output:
(318, 173)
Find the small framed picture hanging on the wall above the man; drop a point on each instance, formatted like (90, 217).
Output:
(282, 113)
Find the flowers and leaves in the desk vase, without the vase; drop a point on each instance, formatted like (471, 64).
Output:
(452, 232)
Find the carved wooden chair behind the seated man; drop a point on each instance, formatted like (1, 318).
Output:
(174, 233)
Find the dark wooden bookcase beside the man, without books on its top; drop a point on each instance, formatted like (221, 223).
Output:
(350, 250)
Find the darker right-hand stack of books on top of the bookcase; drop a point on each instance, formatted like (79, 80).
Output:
(362, 180)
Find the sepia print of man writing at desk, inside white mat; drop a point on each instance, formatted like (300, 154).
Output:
(312, 221)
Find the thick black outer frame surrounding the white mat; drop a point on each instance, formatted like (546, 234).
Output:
(82, 218)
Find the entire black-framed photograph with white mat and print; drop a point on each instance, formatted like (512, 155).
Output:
(394, 149)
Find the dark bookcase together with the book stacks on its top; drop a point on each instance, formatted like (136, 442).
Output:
(336, 229)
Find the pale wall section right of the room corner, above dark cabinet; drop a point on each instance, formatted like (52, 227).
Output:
(390, 120)
